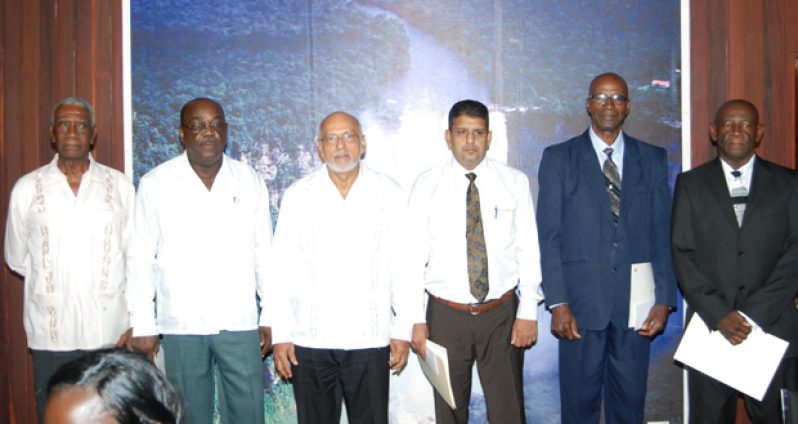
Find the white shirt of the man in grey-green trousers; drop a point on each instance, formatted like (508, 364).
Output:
(197, 258)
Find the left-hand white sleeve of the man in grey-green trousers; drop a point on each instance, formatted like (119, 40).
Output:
(142, 248)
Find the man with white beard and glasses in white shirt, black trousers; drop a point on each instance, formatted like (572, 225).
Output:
(345, 291)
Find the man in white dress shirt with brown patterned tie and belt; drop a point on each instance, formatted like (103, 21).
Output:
(492, 319)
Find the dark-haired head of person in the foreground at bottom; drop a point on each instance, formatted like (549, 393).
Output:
(111, 386)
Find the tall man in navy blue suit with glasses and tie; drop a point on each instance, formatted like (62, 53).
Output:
(604, 204)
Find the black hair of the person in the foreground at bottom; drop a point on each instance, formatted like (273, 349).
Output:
(131, 388)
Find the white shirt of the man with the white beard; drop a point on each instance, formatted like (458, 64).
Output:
(344, 265)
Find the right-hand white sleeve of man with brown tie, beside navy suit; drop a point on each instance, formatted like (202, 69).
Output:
(527, 253)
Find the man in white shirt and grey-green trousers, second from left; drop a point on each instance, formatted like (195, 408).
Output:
(197, 261)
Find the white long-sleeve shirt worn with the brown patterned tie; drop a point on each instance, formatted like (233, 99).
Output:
(438, 204)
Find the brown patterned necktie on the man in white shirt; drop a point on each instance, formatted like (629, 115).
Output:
(475, 242)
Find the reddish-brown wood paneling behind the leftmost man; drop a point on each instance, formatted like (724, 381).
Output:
(49, 49)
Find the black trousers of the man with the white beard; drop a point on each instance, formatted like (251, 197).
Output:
(325, 377)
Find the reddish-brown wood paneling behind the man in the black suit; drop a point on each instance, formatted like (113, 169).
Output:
(745, 49)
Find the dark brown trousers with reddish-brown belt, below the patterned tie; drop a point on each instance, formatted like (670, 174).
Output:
(484, 338)
